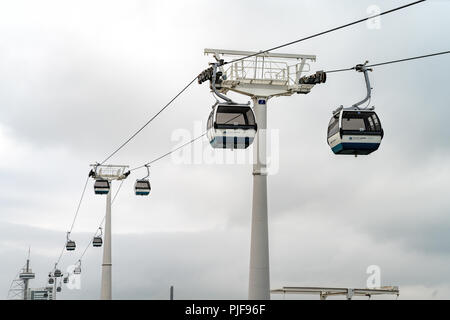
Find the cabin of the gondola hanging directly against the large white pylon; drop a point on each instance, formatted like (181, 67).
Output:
(231, 126)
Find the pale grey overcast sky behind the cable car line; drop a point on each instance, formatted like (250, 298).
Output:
(77, 78)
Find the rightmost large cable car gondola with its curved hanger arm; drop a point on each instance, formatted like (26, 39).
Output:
(353, 130)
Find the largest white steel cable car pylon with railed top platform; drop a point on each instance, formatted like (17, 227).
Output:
(262, 76)
